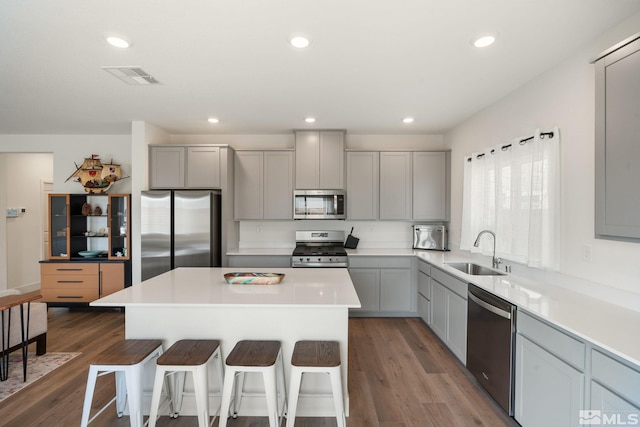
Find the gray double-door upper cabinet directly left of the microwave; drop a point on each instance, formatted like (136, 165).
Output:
(263, 185)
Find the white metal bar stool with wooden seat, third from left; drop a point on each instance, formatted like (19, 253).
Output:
(254, 356)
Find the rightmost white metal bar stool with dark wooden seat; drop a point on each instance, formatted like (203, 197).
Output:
(316, 356)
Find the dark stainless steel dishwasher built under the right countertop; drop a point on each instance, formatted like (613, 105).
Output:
(490, 344)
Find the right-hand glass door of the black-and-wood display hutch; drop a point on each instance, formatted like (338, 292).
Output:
(119, 220)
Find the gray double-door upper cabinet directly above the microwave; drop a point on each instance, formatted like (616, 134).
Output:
(320, 160)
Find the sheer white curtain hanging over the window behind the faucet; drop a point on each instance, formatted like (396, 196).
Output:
(514, 190)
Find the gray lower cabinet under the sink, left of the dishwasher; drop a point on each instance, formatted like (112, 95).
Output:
(449, 311)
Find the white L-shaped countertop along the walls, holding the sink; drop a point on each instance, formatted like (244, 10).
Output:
(610, 326)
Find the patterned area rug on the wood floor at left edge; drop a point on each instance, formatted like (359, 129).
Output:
(37, 367)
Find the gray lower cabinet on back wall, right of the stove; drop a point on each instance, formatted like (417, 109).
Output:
(384, 285)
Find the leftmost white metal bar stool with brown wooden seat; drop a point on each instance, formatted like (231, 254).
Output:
(127, 359)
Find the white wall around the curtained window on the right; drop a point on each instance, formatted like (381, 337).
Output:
(565, 97)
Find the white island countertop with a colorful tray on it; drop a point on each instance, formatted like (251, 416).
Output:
(301, 287)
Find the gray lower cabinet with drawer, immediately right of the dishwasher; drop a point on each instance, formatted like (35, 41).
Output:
(549, 375)
